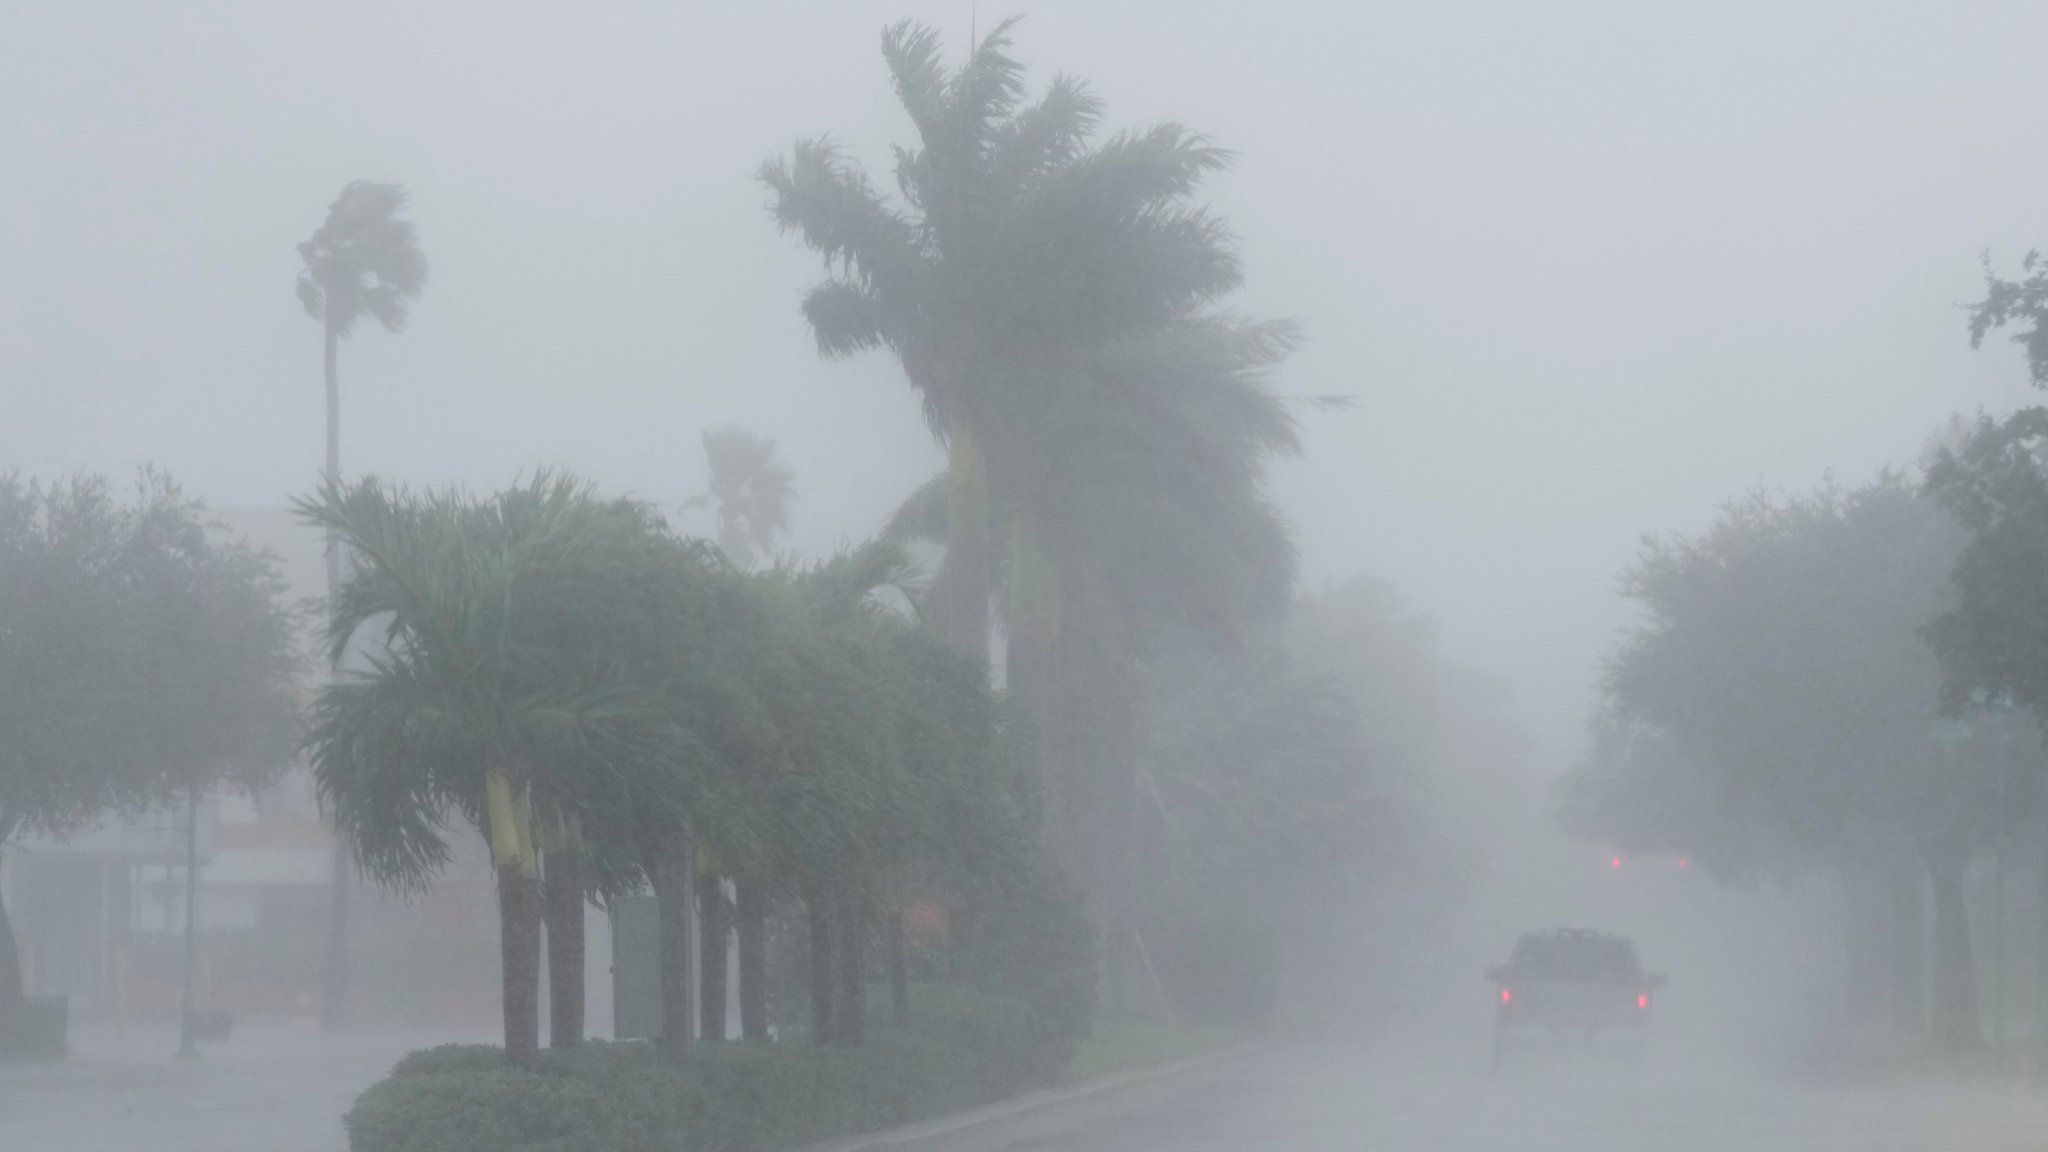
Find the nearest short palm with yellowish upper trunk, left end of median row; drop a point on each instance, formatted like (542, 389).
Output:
(519, 684)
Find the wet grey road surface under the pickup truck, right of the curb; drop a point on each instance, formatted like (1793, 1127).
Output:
(1330, 1100)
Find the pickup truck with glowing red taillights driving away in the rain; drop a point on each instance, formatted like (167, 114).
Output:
(1572, 985)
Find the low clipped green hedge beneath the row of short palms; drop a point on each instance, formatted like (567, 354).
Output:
(964, 1048)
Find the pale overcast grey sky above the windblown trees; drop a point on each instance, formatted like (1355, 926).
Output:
(1588, 270)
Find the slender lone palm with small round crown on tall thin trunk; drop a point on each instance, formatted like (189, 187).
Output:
(364, 261)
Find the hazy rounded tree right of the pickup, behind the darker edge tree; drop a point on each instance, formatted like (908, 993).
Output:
(1783, 669)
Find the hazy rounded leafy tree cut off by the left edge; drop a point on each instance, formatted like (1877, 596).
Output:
(144, 661)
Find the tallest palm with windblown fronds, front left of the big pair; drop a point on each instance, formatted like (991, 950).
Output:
(1017, 243)
